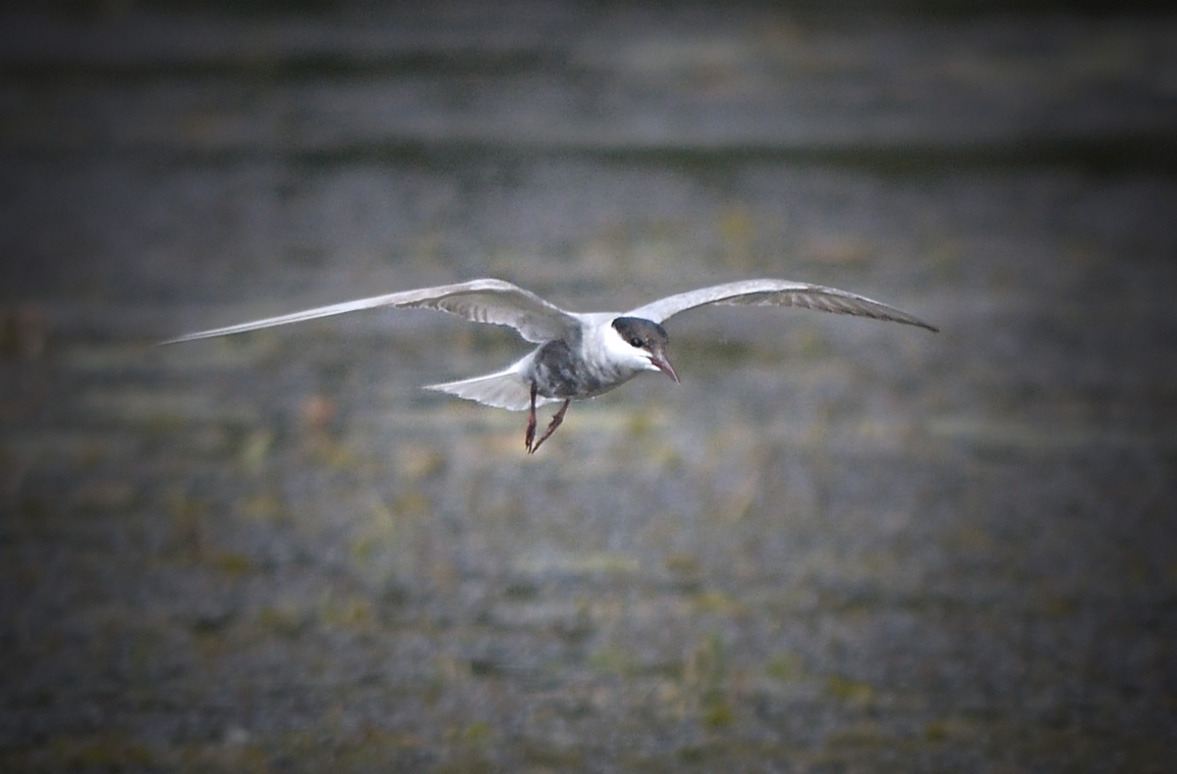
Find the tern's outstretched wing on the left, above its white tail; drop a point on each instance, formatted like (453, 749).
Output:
(494, 302)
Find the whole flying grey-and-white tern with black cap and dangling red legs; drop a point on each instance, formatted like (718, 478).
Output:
(581, 356)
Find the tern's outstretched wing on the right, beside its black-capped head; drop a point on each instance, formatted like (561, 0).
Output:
(776, 293)
